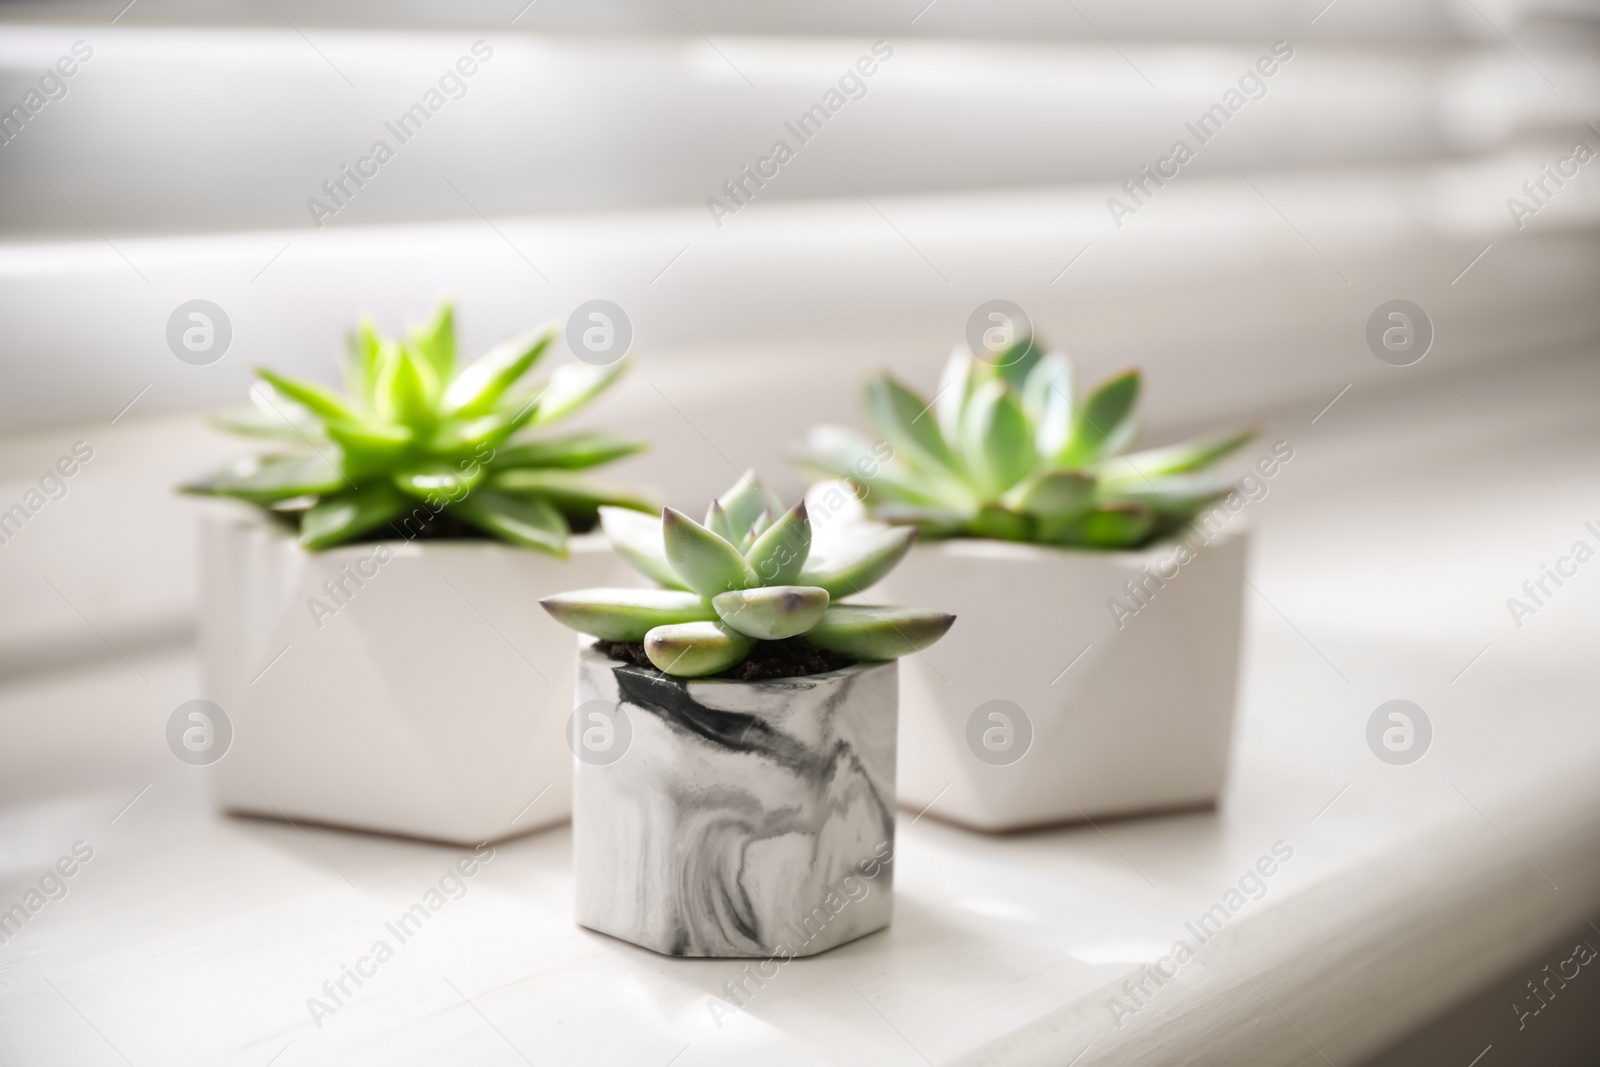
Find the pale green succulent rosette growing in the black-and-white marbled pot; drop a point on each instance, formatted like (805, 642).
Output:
(748, 577)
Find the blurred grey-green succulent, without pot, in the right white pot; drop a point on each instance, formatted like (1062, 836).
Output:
(1007, 450)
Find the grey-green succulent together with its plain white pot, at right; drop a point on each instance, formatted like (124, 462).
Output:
(1102, 679)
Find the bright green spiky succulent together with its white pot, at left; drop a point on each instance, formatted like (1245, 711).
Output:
(366, 626)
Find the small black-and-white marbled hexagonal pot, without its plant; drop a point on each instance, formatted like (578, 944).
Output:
(721, 818)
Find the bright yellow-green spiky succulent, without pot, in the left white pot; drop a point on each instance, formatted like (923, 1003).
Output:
(417, 438)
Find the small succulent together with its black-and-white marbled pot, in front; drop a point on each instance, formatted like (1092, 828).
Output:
(735, 730)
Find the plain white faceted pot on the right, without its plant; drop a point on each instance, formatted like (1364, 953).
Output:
(1074, 684)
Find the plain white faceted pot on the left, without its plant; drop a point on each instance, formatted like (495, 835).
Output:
(412, 689)
